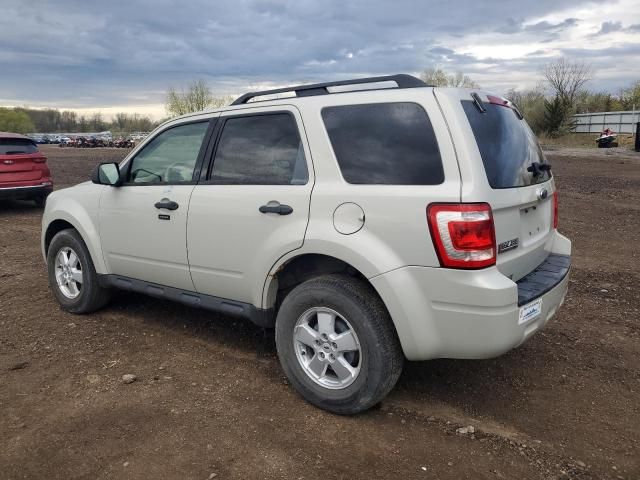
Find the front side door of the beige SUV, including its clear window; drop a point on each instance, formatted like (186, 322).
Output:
(143, 222)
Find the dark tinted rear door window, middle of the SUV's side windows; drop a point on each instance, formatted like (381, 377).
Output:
(260, 150)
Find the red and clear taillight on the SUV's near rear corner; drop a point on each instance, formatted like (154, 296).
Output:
(463, 234)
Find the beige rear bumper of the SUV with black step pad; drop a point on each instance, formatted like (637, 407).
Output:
(444, 313)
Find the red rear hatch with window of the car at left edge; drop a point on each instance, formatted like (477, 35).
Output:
(20, 161)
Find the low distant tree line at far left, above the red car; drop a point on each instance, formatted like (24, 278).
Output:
(51, 120)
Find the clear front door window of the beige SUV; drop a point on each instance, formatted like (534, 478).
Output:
(170, 157)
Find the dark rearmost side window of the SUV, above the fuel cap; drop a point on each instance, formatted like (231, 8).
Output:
(384, 144)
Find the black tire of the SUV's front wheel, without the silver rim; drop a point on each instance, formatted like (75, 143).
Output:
(92, 295)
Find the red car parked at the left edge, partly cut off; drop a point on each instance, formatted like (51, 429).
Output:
(24, 174)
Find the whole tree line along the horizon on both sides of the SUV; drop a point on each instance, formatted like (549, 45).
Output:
(548, 107)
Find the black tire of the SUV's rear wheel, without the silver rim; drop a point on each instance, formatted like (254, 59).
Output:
(381, 358)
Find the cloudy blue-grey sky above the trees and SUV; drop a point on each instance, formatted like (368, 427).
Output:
(122, 56)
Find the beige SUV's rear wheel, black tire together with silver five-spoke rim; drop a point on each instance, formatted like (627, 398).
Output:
(337, 344)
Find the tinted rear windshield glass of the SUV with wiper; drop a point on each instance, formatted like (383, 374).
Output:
(507, 146)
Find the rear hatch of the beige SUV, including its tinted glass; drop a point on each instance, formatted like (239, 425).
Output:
(502, 164)
